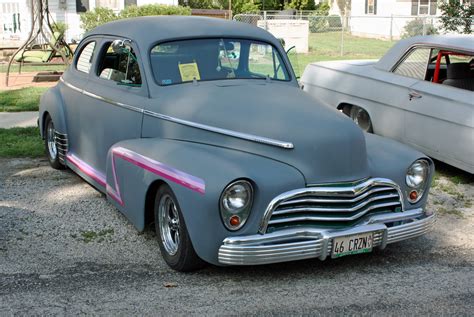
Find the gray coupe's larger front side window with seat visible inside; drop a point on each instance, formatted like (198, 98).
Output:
(119, 65)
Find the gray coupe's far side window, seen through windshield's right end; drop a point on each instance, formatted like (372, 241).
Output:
(264, 62)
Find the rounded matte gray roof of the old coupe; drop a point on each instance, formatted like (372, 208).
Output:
(152, 29)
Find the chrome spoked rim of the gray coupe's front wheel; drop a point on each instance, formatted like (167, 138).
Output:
(169, 224)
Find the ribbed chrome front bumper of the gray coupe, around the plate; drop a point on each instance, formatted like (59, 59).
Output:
(304, 243)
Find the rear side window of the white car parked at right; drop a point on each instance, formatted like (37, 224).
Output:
(415, 65)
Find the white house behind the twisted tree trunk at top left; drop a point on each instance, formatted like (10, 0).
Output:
(15, 15)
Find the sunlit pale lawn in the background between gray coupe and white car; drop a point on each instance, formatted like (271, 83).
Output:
(327, 47)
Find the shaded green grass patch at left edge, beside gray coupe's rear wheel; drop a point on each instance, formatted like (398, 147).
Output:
(21, 142)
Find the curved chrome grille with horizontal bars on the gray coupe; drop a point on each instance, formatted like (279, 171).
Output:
(335, 205)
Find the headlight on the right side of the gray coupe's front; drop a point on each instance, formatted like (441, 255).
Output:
(416, 178)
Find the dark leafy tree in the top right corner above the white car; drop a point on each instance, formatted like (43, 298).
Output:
(457, 17)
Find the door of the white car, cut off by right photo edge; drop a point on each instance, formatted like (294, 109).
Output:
(439, 121)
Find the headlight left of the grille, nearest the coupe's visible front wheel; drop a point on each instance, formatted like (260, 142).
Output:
(235, 204)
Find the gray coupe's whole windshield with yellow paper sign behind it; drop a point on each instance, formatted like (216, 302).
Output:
(216, 59)
